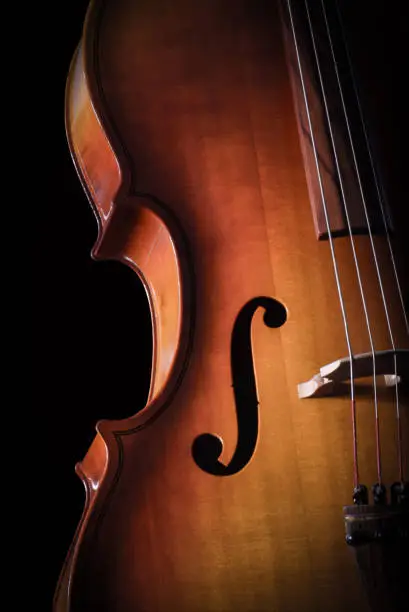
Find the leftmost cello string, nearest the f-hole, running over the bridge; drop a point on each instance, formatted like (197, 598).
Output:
(334, 261)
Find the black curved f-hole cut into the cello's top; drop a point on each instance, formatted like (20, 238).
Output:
(207, 447)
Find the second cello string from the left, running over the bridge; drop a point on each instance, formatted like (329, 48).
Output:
(351, 238)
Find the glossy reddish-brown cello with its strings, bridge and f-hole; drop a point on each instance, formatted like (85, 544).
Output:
(224, 152)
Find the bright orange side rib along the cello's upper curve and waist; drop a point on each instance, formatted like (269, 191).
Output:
(132, 228)
